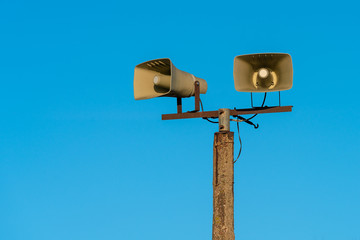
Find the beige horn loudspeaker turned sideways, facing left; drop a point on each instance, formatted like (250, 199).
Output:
(160, 78)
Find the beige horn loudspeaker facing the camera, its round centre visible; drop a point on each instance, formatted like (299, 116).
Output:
(263, 72)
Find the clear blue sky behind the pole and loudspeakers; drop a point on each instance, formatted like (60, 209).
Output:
(81, 159)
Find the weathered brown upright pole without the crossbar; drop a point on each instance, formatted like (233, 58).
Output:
(223, 180)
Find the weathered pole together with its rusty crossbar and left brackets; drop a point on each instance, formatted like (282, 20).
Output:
(223, 180)
